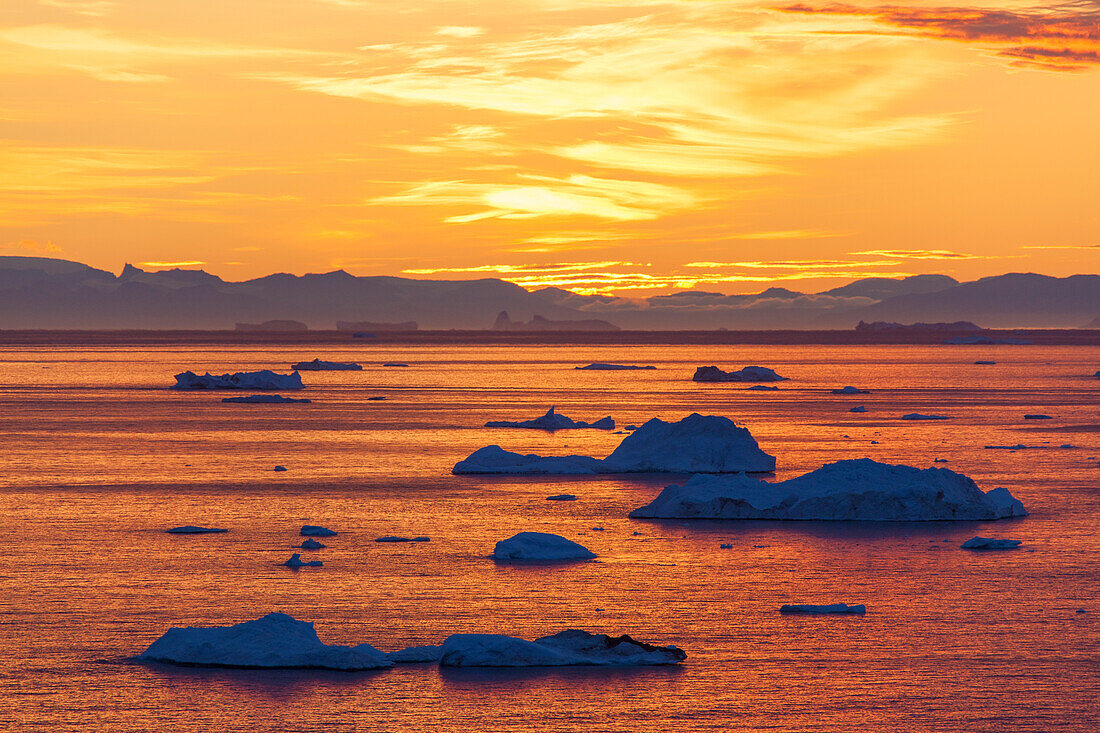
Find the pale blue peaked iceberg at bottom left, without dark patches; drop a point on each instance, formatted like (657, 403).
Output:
(276, 641)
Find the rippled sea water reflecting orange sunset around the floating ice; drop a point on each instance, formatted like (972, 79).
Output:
(98, 458)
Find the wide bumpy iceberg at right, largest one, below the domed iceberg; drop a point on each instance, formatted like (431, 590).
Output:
(850, 490)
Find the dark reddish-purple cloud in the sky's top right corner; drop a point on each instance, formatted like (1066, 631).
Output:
(1063, 38)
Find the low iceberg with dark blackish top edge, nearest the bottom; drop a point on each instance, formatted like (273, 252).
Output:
(568, 649)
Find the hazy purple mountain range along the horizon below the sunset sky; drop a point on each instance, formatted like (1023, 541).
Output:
(52, 294)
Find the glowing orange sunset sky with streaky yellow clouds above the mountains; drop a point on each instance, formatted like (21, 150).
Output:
(622, 147)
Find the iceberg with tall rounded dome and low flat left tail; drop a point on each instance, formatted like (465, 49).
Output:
(698, 444)
